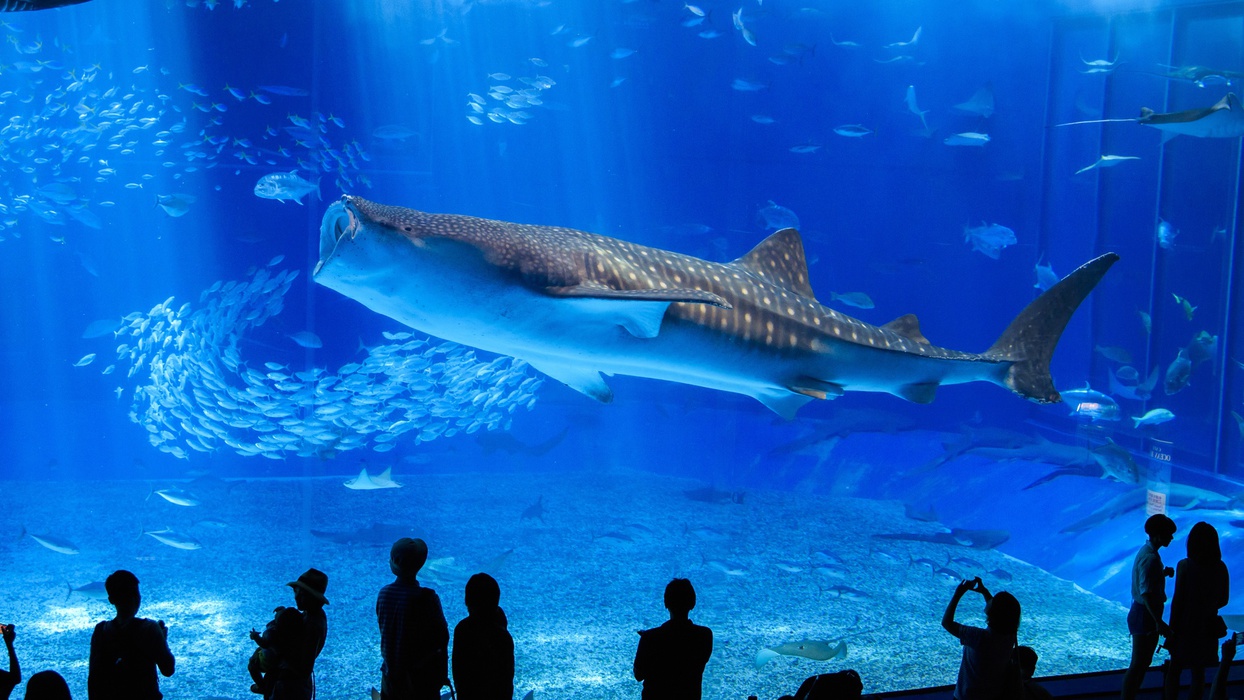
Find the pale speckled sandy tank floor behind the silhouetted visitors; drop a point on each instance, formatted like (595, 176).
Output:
(577, 585)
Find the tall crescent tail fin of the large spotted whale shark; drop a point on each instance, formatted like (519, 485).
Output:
(1032, 338)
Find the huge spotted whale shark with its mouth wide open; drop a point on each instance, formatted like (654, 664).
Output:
(575, 305)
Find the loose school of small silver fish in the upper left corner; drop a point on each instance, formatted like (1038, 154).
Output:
(78, 135)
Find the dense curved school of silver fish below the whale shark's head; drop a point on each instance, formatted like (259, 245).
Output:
(197, 394)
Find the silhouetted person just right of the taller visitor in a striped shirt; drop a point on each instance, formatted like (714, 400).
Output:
(483, 657)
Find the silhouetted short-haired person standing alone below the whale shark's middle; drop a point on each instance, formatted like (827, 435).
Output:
(671, 658)
